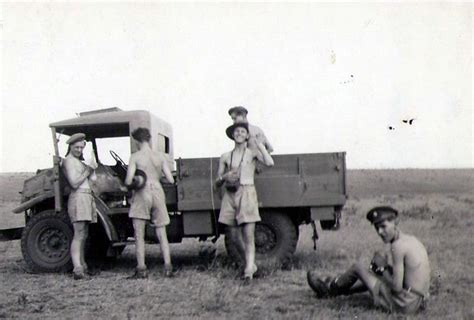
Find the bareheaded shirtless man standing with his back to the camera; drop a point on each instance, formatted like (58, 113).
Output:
(148, 202)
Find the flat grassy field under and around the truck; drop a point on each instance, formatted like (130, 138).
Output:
(435, 205)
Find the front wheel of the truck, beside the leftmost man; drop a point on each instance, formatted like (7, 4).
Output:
(46, 241)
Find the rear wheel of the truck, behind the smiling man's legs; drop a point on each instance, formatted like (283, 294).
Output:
(276, 237)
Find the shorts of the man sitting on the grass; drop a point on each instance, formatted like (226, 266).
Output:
(404, 301)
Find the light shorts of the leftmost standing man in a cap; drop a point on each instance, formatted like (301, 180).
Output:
(81, 206)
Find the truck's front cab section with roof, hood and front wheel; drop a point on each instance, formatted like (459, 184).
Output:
(47, 234)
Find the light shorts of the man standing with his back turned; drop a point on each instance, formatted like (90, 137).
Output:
(149, 203)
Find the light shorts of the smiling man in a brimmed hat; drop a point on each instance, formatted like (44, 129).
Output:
(240, 206)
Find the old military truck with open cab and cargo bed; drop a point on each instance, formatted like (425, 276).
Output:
(299, 189)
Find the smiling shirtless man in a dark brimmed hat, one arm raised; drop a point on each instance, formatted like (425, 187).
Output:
(239, 207)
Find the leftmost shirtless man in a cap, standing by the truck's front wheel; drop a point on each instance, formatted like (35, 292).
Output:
(81, 204)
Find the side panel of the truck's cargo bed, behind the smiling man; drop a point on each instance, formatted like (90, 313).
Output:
(296, 181)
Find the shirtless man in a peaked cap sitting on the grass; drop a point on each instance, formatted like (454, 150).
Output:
(398, 279)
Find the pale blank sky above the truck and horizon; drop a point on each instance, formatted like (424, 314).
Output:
(315, 77)
